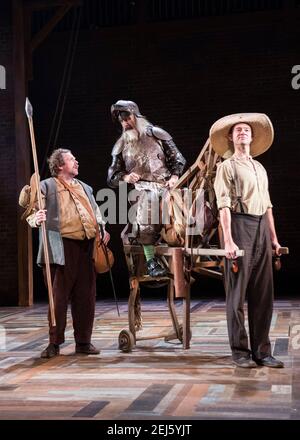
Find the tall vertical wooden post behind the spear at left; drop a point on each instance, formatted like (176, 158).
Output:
(25, 279)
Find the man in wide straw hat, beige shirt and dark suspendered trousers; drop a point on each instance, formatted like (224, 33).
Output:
(246, 217)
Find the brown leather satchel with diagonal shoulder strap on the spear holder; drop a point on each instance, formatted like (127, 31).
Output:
(102, 255)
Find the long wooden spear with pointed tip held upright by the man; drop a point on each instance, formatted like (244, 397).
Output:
(28, 109)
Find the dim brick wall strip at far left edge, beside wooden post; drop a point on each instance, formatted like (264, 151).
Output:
(8, 198)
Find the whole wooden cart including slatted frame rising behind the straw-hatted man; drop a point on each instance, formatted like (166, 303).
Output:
(196, 255)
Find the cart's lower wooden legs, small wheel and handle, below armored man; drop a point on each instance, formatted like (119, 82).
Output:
(136, 265)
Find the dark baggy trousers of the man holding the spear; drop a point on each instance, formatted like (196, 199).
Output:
(76, 281)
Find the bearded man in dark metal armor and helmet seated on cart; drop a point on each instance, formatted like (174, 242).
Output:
(144, 156)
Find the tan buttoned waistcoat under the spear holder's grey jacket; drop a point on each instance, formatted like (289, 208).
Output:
(75, 220)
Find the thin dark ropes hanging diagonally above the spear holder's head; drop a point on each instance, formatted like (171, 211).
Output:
(64, 86)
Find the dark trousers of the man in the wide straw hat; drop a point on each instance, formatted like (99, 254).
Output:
(254, 278)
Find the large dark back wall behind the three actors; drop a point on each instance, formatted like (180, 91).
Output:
(184, 75)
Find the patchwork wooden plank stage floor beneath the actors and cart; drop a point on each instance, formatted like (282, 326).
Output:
(157, 380)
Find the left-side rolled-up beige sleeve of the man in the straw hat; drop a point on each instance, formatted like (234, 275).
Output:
(222, 185)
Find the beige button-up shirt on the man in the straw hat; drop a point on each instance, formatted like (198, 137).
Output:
(253, 182)
